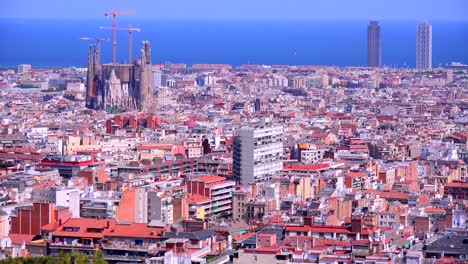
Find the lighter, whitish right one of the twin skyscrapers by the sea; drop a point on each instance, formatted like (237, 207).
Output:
(424, 46)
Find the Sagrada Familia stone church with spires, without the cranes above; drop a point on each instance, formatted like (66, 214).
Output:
(120, 86)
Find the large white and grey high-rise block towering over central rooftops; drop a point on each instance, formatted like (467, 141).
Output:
(257, 154)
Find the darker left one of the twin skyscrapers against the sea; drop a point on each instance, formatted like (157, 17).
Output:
(374, 47)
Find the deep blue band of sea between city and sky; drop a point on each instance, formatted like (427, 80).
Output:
(55, 43)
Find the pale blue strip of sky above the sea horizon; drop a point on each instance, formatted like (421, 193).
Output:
(241, 9)
